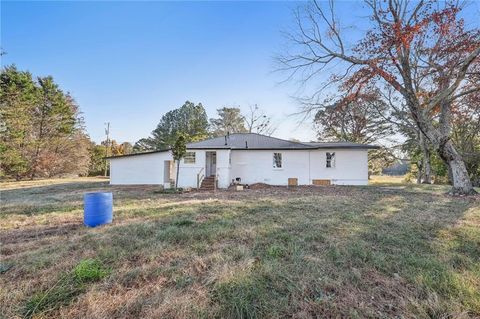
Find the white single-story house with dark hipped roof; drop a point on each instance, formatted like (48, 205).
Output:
(247, 158)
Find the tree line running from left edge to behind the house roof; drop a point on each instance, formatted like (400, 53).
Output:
(43, 133)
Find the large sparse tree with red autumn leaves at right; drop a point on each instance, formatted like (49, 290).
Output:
(422, 50)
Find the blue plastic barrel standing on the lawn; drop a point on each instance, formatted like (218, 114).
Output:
(97, 209)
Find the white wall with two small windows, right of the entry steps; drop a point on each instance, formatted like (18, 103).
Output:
(256, 166)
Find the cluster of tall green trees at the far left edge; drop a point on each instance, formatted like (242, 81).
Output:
(42, 132)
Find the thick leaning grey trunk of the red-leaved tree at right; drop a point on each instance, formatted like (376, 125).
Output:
(460, 179)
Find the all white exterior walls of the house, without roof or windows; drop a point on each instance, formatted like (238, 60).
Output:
(252, 166)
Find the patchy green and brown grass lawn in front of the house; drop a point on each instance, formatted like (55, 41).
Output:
(382, 250)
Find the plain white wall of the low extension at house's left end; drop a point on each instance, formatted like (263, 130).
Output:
(140, 169)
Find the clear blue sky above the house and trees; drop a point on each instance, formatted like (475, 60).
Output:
(130, 62)
